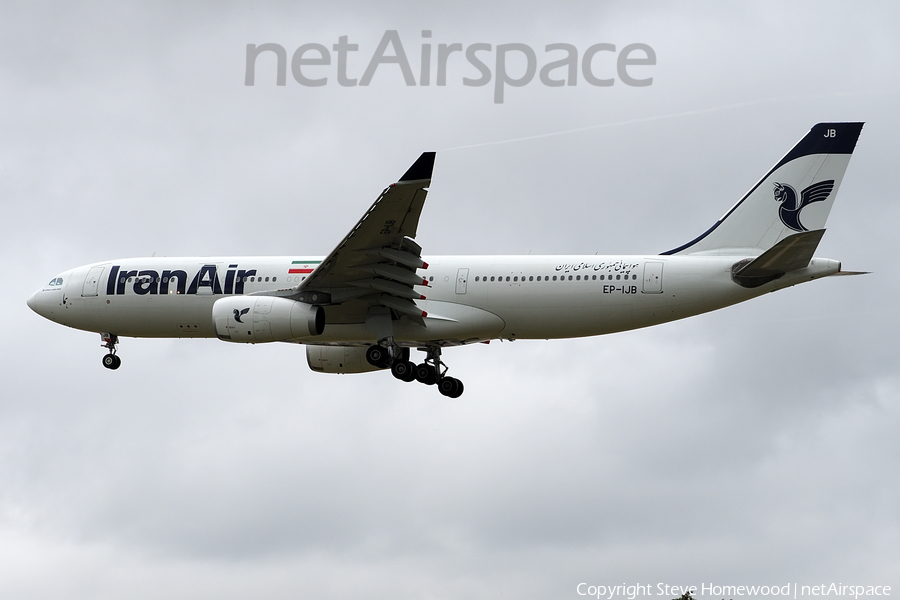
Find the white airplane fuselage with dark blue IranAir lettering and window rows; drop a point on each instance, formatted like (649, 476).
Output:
(469, 298)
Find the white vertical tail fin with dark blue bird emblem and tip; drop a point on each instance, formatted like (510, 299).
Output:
(794, 196)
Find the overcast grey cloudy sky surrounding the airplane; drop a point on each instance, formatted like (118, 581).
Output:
(756, 445)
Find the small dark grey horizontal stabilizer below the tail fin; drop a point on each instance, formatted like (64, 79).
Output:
(792, 253)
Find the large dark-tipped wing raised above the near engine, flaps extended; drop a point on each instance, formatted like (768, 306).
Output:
(376, 262)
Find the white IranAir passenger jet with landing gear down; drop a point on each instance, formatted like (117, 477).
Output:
(363, 307)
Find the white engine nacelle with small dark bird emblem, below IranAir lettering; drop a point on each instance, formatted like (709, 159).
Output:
(255, 319)
